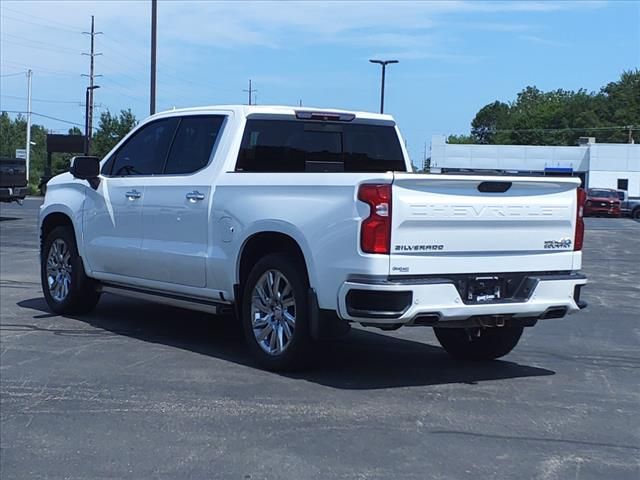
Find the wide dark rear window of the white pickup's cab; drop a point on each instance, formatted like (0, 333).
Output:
(297, 146)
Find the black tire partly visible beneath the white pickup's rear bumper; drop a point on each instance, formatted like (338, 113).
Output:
(478, 343)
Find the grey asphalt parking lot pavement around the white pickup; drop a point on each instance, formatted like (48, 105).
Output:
(138, 390)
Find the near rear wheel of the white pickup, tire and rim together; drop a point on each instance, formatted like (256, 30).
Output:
(275, 341)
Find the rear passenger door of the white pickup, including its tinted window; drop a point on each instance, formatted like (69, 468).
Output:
(177, 206)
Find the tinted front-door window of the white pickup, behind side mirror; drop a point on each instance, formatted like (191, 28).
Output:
(145, 152)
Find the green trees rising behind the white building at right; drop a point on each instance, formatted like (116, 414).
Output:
(560, 117)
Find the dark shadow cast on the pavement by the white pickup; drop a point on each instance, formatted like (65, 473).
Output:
(362, 360)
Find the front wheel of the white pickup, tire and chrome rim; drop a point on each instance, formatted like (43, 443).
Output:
(66, 288)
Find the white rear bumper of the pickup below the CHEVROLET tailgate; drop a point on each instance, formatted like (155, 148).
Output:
(437, 301)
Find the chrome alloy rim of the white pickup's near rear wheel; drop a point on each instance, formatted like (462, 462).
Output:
(273, 312)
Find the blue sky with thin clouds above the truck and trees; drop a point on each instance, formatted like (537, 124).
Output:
(455, 57)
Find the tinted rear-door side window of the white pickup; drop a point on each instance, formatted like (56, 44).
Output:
(193, 144)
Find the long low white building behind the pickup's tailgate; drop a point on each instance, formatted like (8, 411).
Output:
(604, 165)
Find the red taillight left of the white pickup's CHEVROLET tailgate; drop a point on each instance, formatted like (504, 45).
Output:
(375, 231)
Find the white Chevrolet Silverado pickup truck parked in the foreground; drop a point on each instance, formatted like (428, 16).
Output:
(302, 222)
